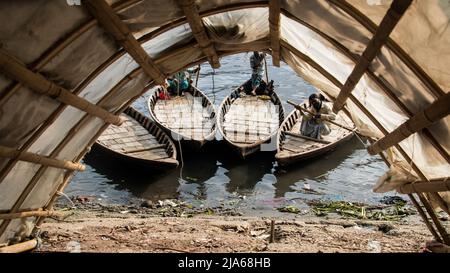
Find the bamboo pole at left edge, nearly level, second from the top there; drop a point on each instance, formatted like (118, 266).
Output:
(40, 159)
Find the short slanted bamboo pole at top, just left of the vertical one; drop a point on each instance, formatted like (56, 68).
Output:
(198, 30)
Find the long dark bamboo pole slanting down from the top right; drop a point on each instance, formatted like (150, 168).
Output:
(390, 20)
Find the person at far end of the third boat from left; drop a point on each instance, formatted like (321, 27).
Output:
(256, 85)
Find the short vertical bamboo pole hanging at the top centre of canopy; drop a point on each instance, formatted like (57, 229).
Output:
(274, 24)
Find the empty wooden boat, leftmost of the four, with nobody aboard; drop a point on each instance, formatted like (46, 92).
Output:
(139, 141)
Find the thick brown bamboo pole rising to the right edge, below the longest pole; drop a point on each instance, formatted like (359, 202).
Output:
(434, 112)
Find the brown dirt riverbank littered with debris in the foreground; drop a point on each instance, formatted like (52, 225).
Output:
(106, 231)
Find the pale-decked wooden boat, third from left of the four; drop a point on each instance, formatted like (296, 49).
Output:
(246, 122)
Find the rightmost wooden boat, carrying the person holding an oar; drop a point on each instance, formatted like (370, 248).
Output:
(293, 147)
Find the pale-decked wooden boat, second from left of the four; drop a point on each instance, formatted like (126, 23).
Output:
(189, 119)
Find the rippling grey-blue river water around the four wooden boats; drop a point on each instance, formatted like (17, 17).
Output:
(218, 177)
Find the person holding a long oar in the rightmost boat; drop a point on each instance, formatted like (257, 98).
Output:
(315, 126)
